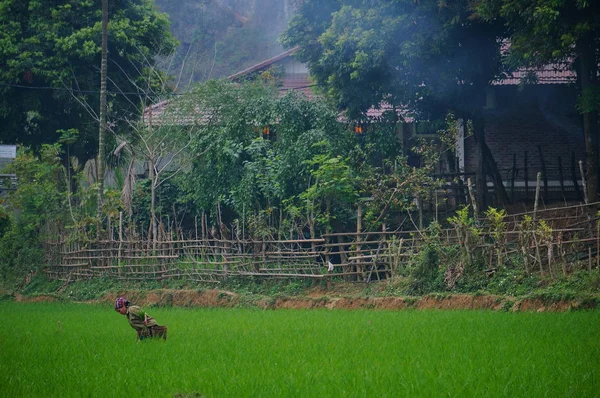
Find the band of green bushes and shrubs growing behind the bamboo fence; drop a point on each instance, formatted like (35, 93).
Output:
(304, 175)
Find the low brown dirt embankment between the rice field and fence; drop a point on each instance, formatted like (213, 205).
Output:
(324, 300)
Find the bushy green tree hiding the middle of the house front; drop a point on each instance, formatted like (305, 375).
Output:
(251, 148)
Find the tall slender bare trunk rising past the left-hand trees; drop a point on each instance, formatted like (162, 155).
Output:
(103, 70)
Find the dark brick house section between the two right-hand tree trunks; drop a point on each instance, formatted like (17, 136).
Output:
(533, 128)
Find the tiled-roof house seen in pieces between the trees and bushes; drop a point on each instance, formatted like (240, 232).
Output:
(530, 128)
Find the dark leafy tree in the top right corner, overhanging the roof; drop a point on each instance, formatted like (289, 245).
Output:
(561, 32)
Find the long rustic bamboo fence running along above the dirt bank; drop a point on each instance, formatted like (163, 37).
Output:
(549, 241)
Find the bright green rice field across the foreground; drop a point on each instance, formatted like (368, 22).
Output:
(82, 350)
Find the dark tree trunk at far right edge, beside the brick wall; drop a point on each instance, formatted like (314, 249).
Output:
(590, 119)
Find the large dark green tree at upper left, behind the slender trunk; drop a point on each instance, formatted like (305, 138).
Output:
(50, 66)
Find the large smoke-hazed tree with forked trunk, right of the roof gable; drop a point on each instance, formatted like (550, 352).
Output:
(428, 55)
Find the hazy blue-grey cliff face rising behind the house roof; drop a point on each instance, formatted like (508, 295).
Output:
(221, 37)
